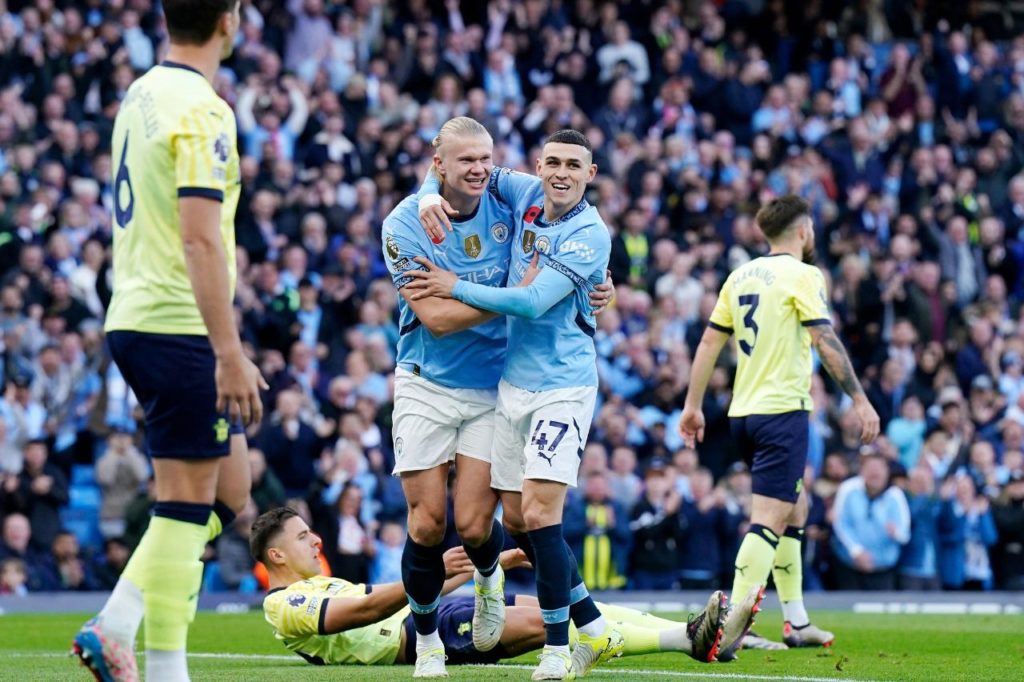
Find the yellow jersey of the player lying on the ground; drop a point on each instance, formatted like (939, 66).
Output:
(298, 613)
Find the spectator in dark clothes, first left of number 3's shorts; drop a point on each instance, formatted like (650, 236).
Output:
(656, 525)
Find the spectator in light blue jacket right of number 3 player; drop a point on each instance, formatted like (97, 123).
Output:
(871, 523)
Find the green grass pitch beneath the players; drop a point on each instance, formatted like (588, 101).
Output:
(869, 648)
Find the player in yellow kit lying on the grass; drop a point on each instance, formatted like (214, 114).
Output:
(328, 621)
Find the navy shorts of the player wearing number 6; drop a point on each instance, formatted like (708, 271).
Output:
(173, 376)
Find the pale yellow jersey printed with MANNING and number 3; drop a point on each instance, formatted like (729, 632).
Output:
(769, 304)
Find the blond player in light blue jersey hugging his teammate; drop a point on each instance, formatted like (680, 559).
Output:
(450, 361)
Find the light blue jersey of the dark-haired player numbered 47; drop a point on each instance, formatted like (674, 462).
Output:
(548, 348)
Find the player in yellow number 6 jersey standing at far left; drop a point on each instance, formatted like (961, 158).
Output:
(172, 331)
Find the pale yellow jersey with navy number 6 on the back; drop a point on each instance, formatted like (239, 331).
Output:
(174, 138)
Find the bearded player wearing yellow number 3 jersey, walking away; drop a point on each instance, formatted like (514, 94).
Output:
(779, 309)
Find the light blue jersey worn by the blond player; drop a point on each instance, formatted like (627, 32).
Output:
(479, 252)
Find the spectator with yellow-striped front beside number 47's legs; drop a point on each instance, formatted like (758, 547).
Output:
(596, 529)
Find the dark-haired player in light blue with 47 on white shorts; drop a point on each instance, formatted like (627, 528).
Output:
(549, 386)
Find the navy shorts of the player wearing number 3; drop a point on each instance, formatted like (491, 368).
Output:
(776, 449)
